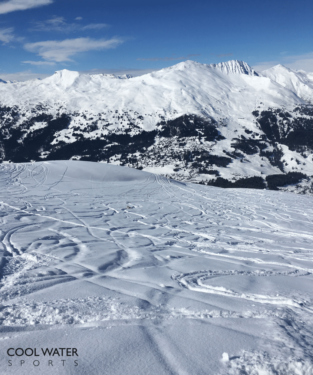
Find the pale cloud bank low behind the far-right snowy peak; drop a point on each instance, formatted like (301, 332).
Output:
(295, 62)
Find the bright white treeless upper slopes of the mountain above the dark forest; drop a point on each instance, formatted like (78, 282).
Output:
(185, 88)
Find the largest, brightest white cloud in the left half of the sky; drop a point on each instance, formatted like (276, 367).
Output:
(59, 51)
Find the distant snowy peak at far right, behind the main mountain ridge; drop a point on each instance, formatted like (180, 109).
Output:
(299, 82)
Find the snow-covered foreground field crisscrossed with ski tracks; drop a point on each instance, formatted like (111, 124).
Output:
(145, 275)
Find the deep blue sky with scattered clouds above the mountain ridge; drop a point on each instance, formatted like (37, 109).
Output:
(38, 37)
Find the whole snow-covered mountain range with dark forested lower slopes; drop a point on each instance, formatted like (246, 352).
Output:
(220, 124)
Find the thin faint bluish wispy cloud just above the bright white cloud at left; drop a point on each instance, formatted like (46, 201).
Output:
(60, 25)
